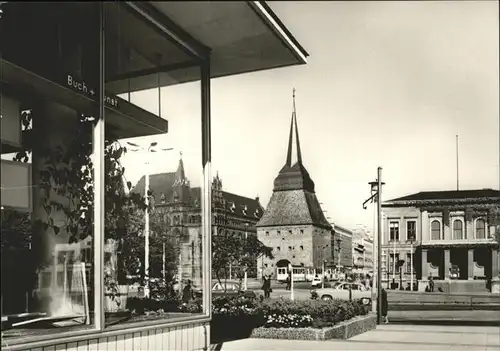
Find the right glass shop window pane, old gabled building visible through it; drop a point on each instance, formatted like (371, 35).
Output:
(152, 172)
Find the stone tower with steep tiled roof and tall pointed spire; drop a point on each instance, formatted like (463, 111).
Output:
(294, 224)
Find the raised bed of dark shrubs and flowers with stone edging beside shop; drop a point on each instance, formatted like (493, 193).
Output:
(243, 317)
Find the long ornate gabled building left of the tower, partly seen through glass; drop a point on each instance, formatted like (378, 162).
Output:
(180, 206)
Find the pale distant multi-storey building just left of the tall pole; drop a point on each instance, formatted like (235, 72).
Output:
(362, 250)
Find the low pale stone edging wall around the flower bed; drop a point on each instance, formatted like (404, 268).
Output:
(343, 330)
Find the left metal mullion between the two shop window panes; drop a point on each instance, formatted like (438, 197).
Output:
(98, 154)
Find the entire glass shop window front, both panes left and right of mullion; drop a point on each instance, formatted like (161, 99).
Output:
(152, 264)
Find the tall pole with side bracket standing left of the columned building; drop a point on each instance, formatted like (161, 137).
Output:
(376, 189)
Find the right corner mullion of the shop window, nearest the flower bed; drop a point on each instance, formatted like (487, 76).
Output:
(207, 185)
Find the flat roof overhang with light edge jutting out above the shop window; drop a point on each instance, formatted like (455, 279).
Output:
(238, 37)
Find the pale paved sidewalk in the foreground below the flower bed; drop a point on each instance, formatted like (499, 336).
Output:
(387, 337)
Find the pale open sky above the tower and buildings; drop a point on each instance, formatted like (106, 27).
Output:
(387, 84)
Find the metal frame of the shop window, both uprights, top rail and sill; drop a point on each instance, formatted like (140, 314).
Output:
(98, 329)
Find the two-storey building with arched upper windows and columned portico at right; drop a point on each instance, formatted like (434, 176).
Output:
(453, 239)
